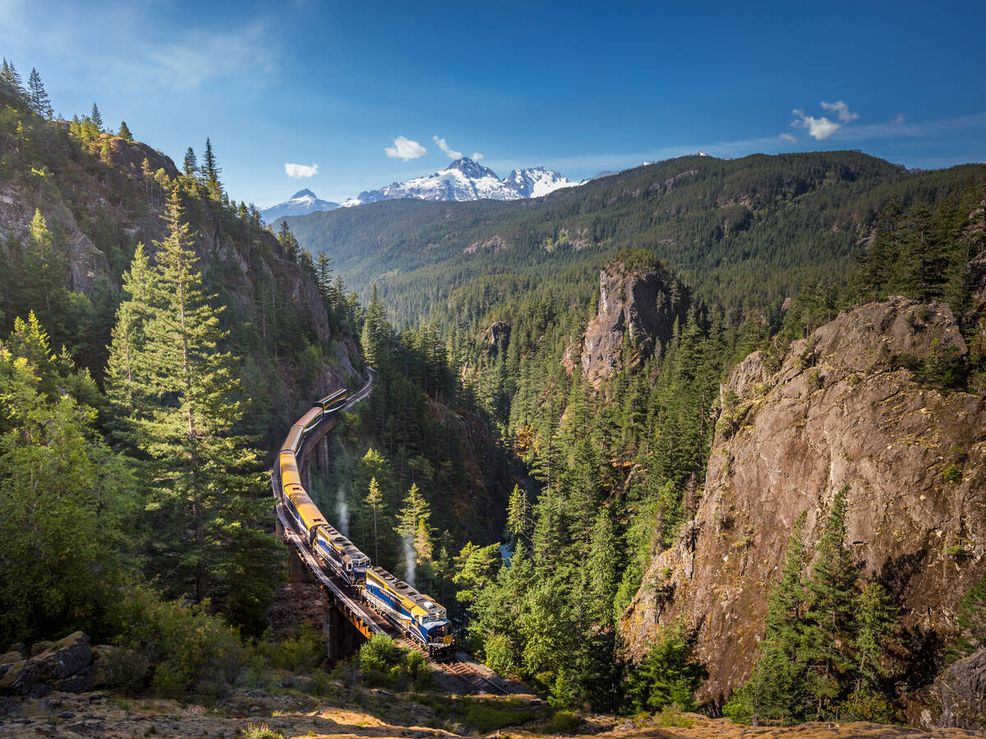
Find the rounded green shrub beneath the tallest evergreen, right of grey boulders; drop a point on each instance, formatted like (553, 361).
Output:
(190, 650)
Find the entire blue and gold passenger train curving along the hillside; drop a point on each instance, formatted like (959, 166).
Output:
(416, 615)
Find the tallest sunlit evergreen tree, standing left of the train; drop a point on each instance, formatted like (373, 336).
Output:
(206, 491)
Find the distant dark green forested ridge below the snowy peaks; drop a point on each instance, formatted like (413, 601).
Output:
(745, 233)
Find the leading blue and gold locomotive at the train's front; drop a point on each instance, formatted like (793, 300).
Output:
(412, 612)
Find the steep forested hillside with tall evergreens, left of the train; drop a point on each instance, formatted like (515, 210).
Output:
(155, 340)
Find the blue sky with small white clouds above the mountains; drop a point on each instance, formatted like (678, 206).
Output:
(577, 86)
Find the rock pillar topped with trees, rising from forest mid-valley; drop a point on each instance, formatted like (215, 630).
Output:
(638, 306)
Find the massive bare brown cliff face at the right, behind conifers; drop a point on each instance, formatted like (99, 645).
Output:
(839, 411)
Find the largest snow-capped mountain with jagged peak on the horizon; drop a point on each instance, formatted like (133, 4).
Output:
(465, 179)
